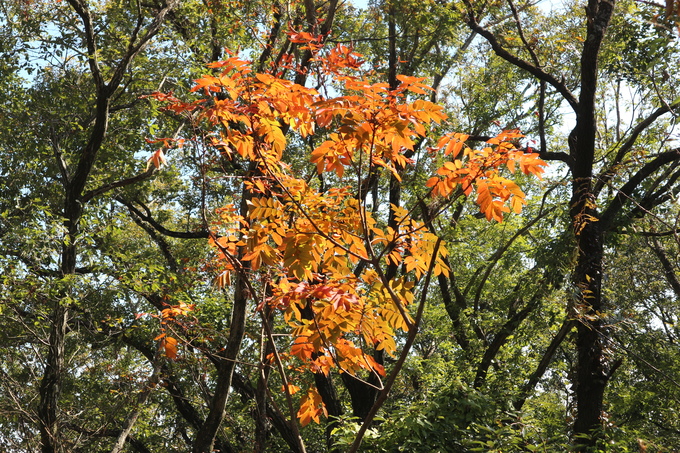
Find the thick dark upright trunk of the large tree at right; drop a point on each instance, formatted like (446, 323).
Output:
(587, 303)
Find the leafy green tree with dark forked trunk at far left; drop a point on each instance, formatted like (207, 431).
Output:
(86, 83)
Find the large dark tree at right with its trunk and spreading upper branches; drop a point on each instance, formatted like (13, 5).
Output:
(607, 188)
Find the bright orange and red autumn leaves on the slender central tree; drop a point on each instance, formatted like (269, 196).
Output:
(315, 251)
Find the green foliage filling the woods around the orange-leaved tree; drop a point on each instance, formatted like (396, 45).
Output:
(469, 382)
